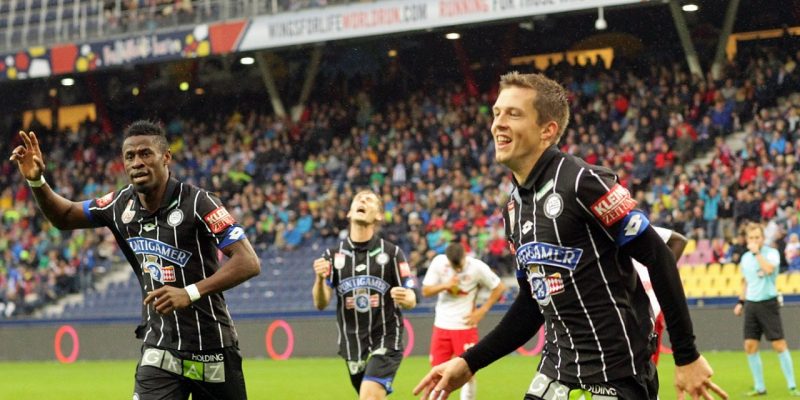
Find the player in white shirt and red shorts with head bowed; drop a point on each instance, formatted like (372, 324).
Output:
(456, 278)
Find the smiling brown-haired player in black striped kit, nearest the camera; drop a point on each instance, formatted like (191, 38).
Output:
(573, 229)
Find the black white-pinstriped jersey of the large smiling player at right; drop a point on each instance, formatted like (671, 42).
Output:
(565, 225)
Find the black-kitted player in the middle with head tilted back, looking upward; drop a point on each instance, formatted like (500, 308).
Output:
(372, 281)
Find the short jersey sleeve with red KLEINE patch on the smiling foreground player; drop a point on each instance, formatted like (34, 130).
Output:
(610, 204)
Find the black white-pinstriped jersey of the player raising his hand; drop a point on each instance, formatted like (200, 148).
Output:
(177, 245)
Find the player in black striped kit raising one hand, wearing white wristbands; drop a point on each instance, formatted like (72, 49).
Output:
(170, 233)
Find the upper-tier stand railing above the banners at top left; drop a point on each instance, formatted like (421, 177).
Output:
(27, 23)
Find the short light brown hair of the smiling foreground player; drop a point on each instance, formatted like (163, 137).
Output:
(550, 102)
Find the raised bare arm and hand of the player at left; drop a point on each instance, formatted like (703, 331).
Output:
(64, 214)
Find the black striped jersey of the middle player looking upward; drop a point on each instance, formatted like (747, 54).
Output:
(362, 274)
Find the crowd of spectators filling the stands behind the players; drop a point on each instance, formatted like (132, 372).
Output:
(431, 158)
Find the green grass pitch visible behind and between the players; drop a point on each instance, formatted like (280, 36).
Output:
(326, 378)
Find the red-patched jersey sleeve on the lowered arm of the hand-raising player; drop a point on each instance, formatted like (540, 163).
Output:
(218, 223)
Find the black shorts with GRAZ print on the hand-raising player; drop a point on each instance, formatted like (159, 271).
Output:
(164, 374)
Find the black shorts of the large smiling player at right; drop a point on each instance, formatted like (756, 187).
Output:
(640, 387)
